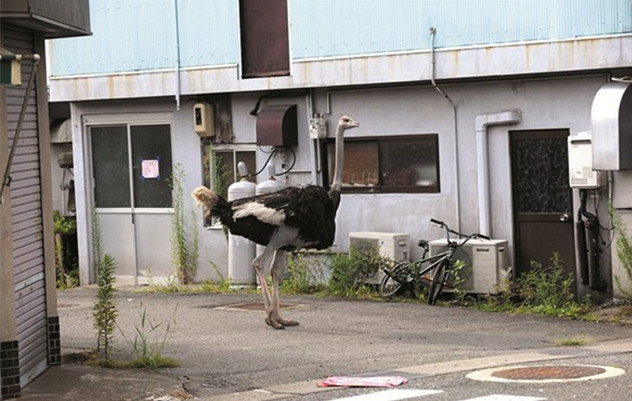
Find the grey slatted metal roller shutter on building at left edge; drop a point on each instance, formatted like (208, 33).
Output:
(26, 219)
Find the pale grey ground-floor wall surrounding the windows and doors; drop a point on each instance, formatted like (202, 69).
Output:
(552, 103)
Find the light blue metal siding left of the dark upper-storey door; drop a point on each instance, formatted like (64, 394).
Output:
(140, 35)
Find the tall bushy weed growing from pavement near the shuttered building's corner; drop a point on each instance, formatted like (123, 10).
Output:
(104, 310)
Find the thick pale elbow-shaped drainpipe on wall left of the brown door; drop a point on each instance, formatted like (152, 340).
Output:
(482, 162)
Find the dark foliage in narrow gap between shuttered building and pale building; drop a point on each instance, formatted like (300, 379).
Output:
(66, 263)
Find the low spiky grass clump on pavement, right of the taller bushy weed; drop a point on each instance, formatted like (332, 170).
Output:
(148, 343)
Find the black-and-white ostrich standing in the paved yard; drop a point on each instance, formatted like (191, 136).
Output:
(292, 218)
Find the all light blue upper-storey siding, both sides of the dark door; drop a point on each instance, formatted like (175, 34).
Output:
(144, 37)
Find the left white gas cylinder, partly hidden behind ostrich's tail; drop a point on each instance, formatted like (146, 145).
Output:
(241, 251)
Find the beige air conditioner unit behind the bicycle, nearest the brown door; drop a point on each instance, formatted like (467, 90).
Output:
(487, 269)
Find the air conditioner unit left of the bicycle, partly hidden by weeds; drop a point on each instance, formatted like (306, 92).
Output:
(393, 246)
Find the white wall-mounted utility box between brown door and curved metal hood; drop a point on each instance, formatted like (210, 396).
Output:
(580, 163)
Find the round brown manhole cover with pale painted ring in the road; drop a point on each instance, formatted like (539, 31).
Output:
(546, 373)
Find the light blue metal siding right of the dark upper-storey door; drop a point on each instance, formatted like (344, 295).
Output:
(324, 28)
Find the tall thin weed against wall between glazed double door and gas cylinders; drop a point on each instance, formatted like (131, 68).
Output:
(184, 237)
